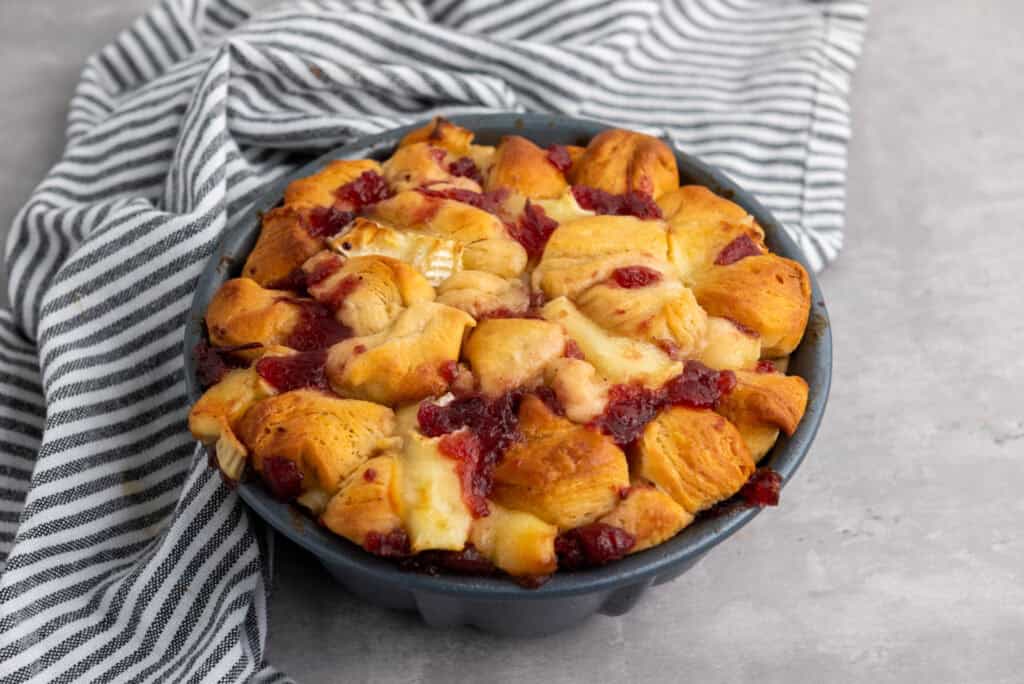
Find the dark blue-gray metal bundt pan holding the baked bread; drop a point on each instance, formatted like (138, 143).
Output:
(499, 606)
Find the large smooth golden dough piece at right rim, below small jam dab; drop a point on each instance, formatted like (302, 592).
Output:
(769, 294)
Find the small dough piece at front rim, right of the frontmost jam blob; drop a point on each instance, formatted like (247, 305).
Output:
(650, 515)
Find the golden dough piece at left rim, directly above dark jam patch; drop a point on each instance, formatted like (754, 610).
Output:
(243, 313)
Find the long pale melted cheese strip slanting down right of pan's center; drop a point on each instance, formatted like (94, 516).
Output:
(621, 360)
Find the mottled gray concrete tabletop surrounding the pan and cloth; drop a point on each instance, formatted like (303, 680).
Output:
(899, 552)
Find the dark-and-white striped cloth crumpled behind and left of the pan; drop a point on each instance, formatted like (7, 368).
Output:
(126, 559)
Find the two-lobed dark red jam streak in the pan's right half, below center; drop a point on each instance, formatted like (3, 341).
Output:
(631, 408)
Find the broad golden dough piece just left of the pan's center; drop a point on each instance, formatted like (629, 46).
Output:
(410, 361)
